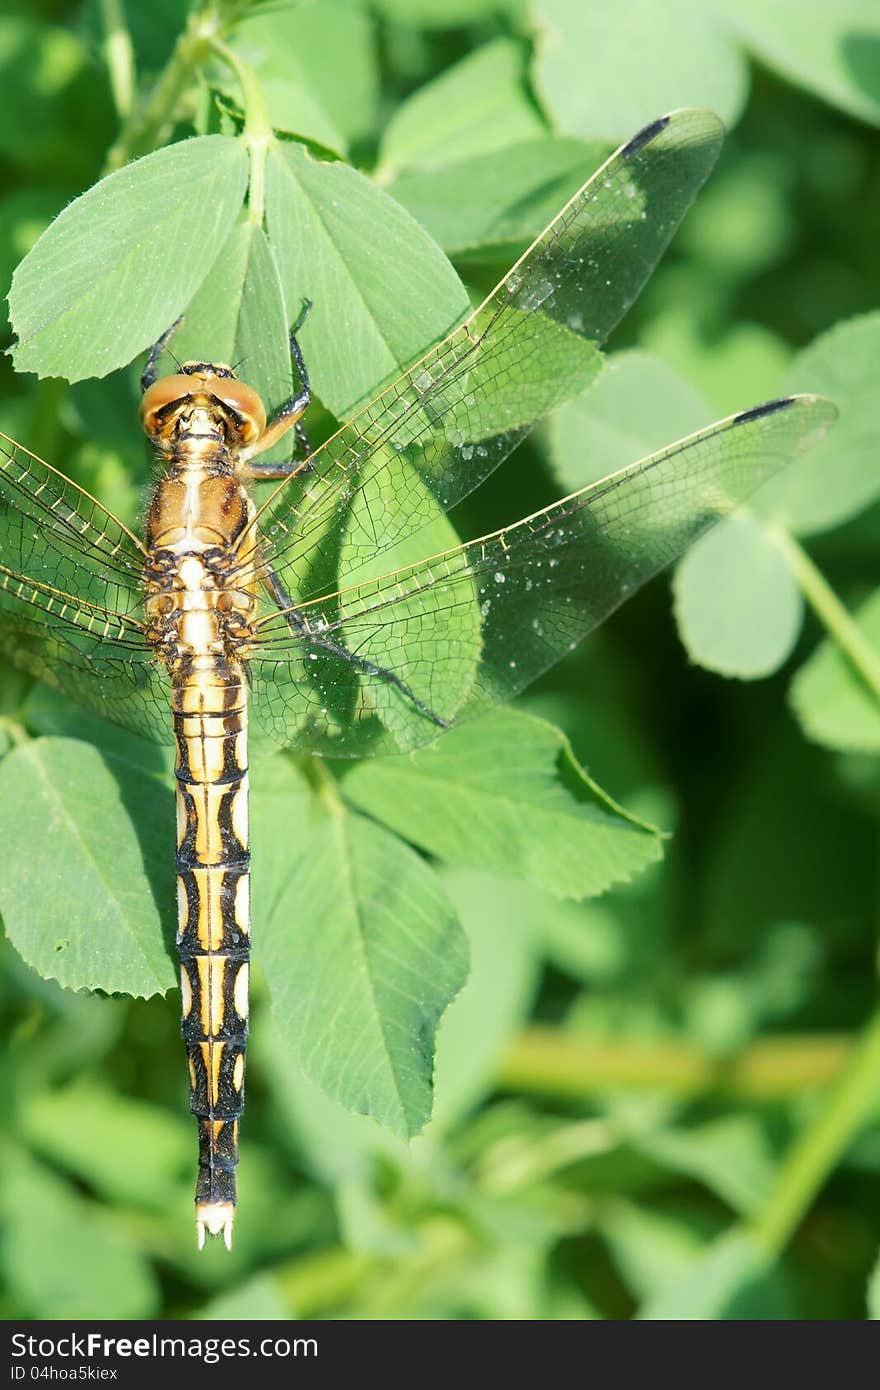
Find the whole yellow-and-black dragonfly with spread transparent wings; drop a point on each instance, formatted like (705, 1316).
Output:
(307, 616)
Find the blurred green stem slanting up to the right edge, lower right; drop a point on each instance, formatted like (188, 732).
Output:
(818, 1150)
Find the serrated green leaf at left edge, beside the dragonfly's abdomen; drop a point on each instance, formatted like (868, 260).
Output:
(92, 918)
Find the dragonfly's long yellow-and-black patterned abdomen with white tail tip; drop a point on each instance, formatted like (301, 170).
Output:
(211, 728)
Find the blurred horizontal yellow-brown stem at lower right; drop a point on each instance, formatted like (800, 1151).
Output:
(548, 1063)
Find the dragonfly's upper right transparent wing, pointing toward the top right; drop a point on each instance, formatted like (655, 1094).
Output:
(448, 422)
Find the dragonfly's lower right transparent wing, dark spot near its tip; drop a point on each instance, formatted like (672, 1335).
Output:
(386, 665)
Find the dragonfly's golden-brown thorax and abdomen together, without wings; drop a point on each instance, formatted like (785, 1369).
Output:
(199, 600)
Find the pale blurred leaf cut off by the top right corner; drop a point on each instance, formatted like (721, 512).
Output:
(829, 49)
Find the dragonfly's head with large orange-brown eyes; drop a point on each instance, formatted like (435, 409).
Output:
(204, 400)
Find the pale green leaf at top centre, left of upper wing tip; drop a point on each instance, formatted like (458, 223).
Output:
(476, 108)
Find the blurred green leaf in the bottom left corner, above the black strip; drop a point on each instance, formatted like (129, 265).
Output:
(60, 1257)
